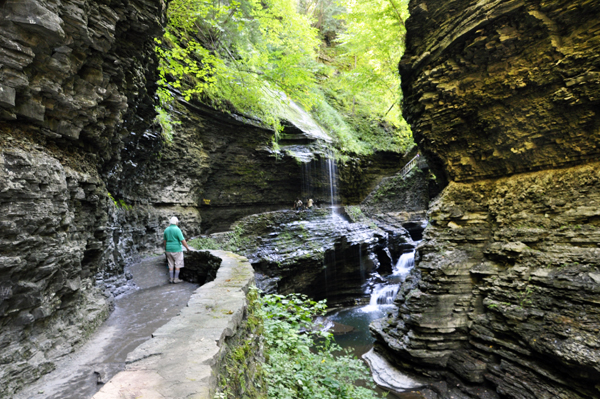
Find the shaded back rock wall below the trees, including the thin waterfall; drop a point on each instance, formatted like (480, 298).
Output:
(222, 167)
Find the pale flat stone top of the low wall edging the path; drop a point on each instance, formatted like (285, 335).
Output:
(182, 359)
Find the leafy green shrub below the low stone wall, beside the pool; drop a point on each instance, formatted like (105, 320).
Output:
(301, 360)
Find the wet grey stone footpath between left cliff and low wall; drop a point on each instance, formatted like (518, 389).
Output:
(136, 316)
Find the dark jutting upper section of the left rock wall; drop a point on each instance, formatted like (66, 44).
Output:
(78, 71)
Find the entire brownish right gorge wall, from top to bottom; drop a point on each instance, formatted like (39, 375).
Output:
(503, 99)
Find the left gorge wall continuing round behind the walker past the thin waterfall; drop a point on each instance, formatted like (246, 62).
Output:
(87, 182)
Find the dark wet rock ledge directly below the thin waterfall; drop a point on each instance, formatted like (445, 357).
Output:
(312, 252)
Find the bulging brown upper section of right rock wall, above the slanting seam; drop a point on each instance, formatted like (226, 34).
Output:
(499, 87)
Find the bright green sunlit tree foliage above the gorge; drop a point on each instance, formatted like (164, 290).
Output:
(337, 59)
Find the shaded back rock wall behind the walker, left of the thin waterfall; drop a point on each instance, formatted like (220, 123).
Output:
(217, 170)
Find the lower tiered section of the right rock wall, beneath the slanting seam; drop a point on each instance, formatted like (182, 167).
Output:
(505, 294)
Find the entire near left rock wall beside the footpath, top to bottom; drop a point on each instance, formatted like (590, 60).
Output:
(72, 76)
